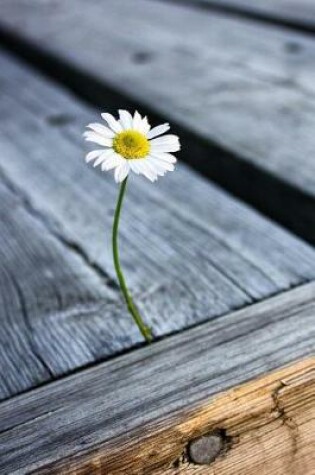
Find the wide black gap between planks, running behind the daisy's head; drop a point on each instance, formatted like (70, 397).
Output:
(270, 195)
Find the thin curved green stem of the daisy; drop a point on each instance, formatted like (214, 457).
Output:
(146, 331)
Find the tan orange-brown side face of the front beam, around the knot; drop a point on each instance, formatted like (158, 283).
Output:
(266, 425)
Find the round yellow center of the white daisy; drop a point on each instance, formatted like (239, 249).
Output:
(131, 144)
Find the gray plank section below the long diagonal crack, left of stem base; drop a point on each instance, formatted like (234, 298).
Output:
(56, 313)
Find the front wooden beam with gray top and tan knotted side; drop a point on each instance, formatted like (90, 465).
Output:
(161, 397)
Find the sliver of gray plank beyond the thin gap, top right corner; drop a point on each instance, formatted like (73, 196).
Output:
(299, 14)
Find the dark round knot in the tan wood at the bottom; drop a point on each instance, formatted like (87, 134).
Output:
(205, 449)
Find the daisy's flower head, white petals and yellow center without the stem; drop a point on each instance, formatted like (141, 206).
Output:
(129, 144)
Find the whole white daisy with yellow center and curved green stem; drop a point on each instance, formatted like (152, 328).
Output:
(129, 144)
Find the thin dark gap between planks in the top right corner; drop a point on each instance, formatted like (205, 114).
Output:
(240, 11)
